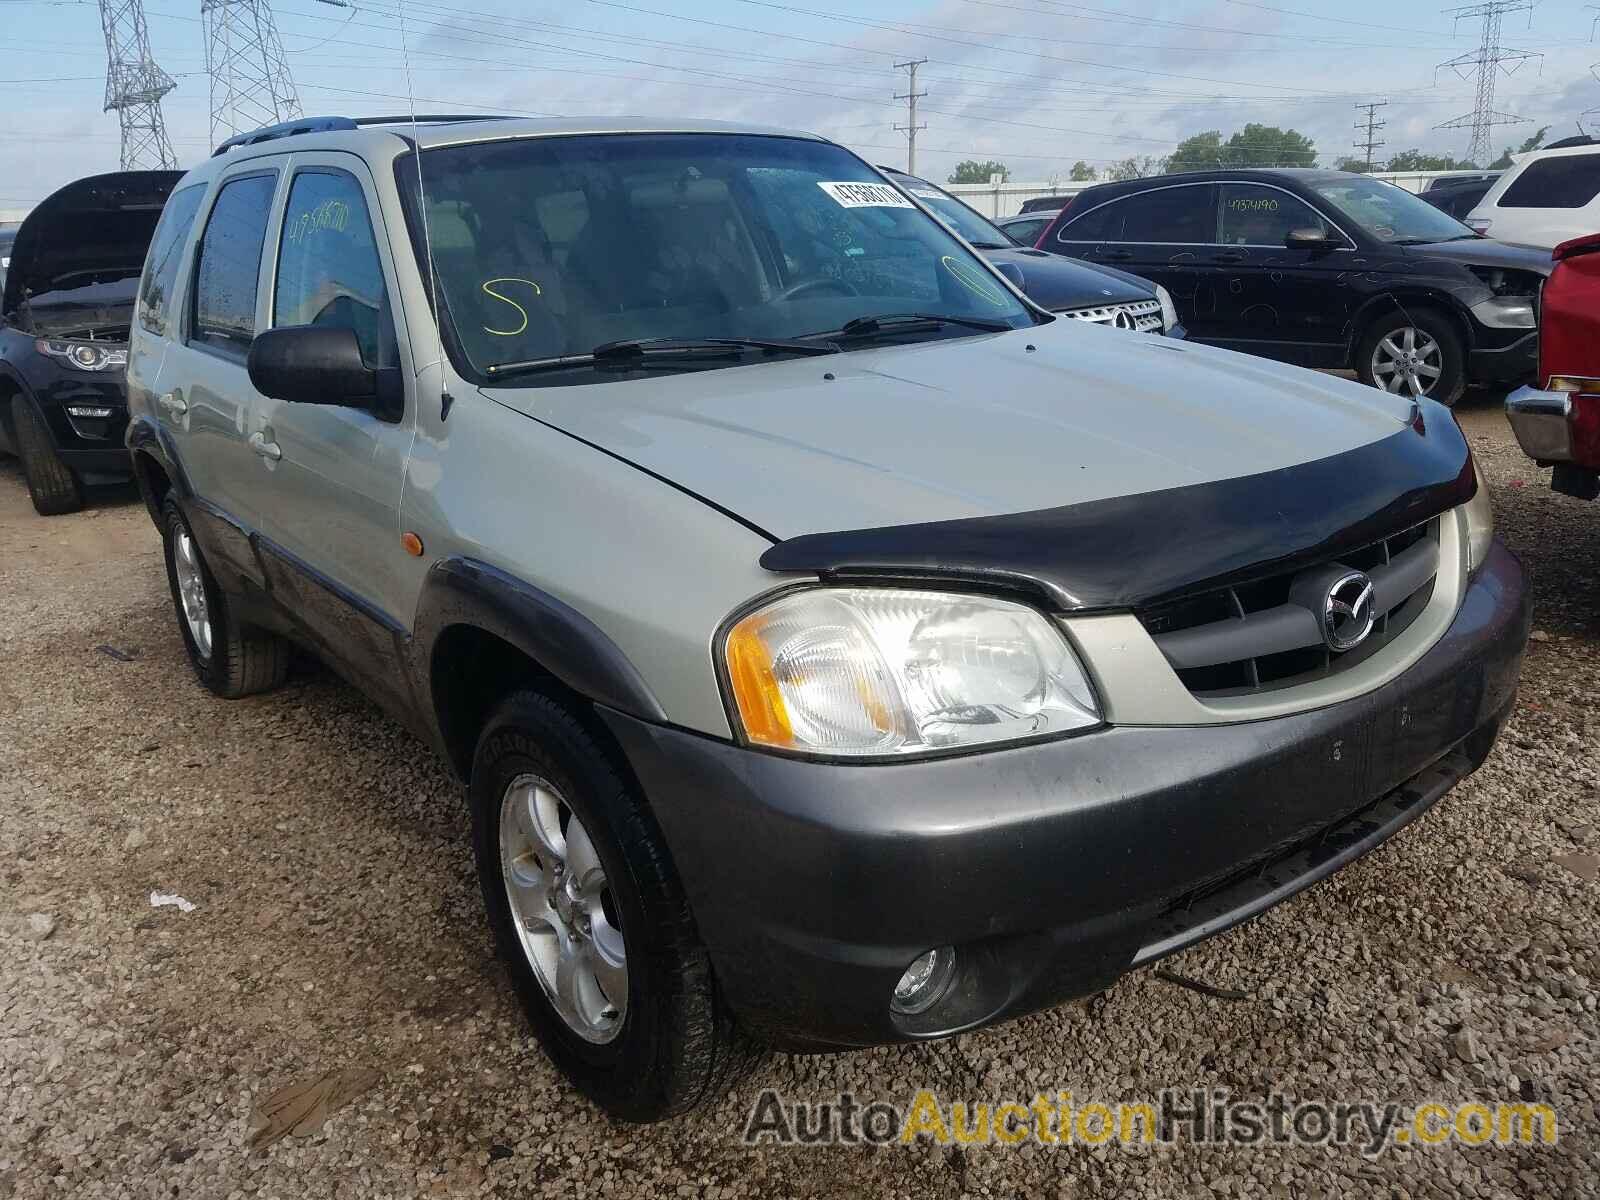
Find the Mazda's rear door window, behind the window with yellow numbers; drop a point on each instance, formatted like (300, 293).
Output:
(230, 265)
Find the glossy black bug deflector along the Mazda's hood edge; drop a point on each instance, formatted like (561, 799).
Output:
(1134, 551)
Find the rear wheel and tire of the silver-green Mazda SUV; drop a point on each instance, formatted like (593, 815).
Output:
(230, 660)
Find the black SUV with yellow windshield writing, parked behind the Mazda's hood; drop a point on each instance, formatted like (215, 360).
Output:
(1321, 270)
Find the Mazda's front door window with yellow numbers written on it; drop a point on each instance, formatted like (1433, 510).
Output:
(329, 265)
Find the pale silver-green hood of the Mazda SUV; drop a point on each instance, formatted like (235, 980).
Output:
(978, 426)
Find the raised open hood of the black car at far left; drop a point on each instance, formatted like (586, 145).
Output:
(92, 233)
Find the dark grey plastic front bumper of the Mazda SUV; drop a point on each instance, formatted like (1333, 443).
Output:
(1058, 866)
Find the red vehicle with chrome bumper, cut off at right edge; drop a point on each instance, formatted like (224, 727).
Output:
(1559, 425)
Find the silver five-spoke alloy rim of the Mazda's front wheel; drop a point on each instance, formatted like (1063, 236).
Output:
(564, 911)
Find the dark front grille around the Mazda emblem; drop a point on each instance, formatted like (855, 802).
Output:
(1268, 634)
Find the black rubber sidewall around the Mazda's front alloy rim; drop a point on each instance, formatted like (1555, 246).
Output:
(529, 738)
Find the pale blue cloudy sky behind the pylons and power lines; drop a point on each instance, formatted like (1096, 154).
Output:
(1036, 84)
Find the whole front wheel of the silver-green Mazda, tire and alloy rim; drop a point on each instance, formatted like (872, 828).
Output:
(591, 919)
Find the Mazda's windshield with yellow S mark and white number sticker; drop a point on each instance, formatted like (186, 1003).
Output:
(551, 247)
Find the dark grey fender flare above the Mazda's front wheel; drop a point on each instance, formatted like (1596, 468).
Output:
(562, 641)
